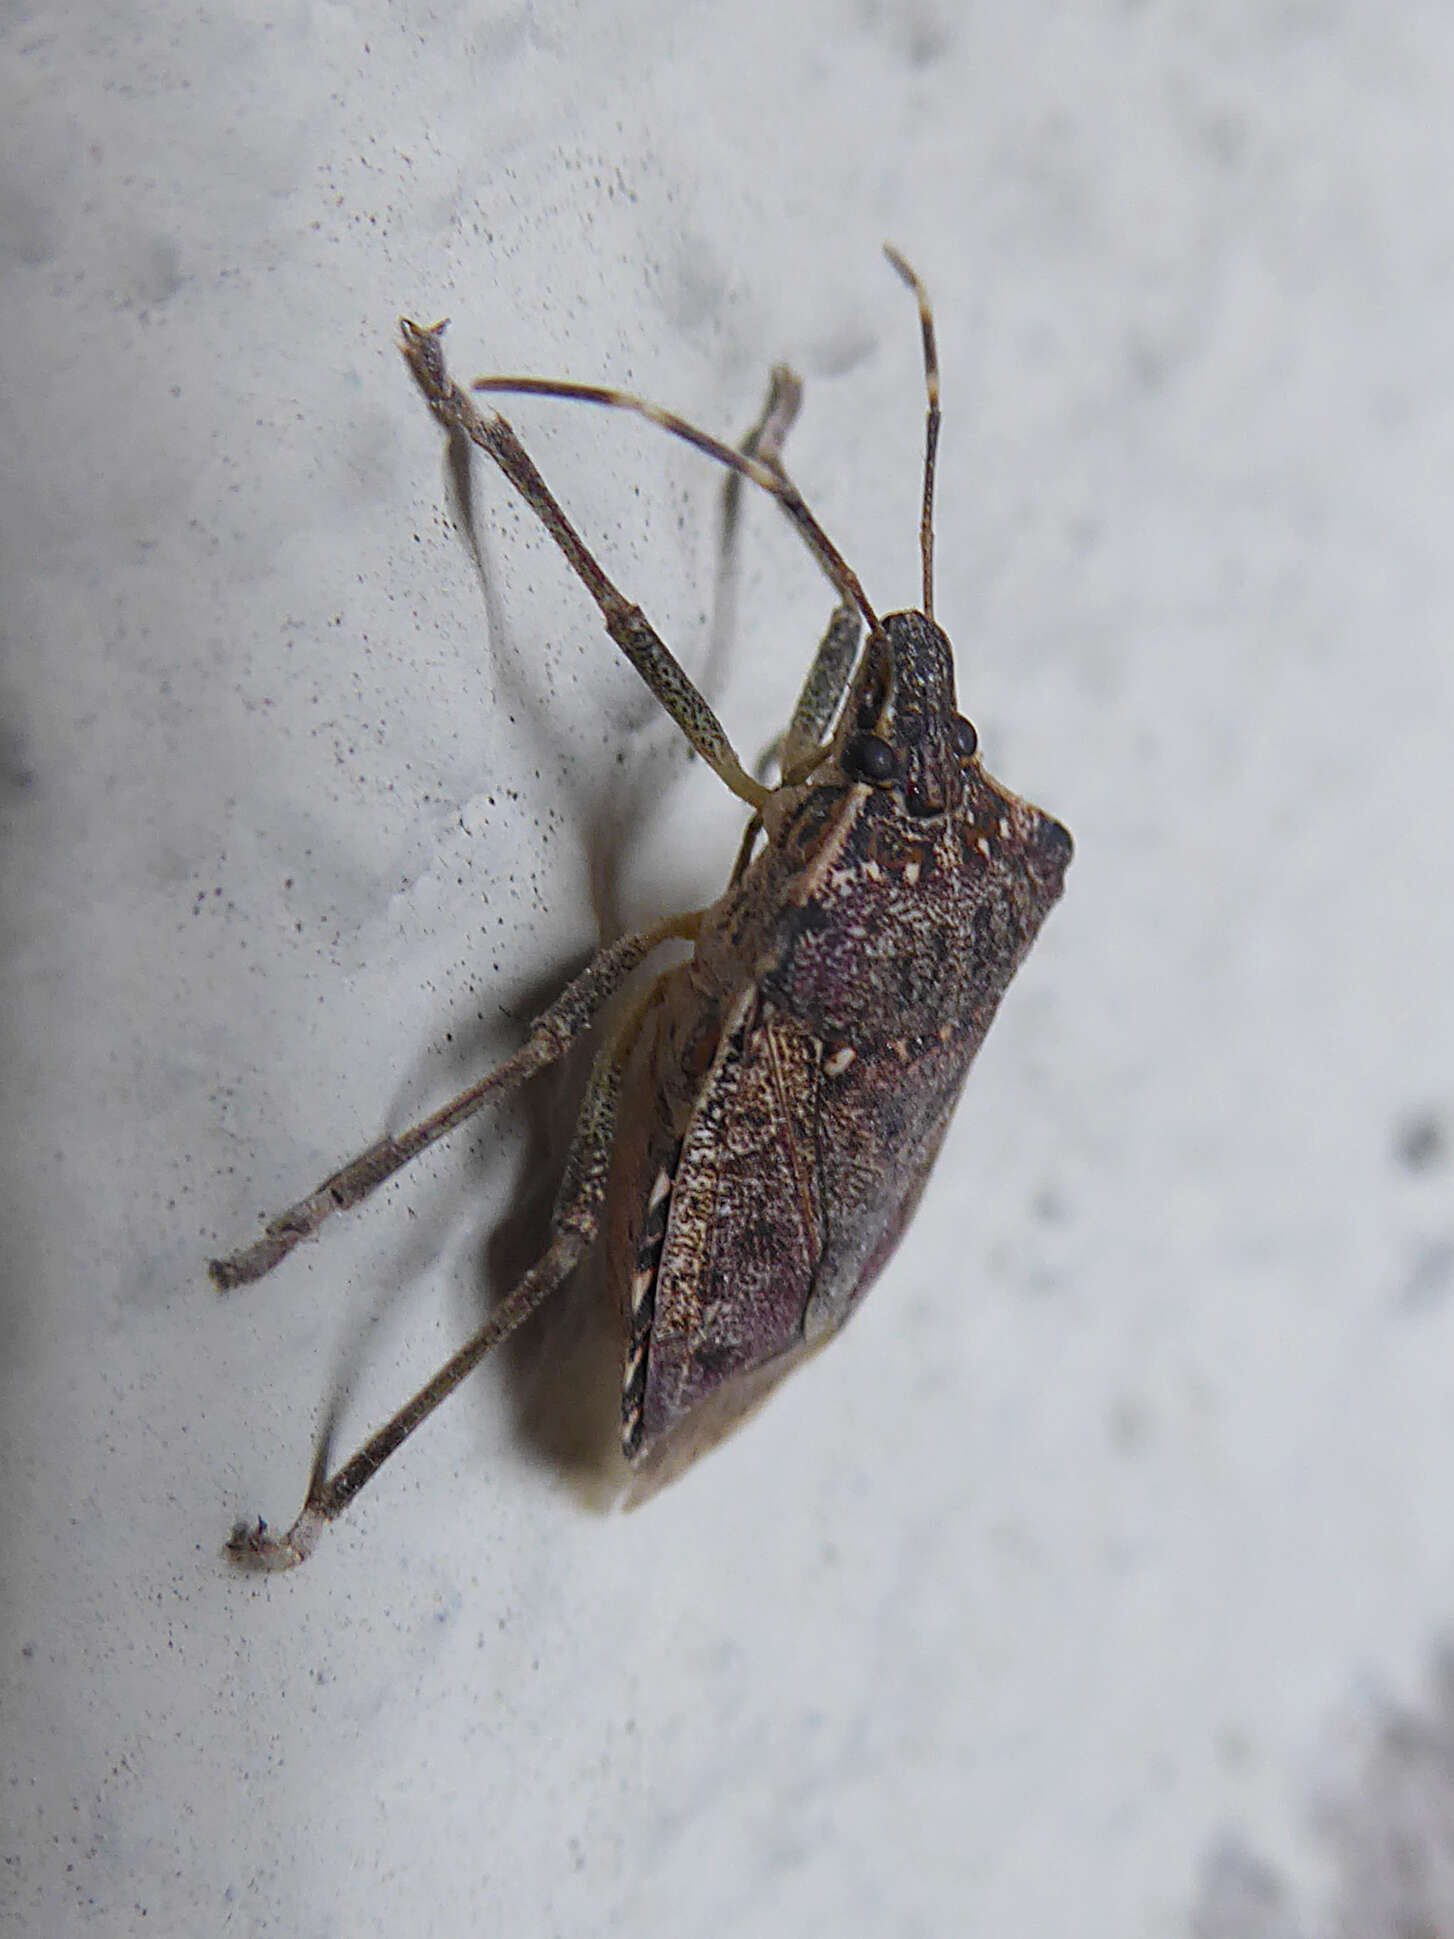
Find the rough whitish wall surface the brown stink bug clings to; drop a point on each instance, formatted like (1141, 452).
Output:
(1036, 1606)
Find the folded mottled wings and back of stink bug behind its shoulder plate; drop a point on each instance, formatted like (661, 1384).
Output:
(792, 1192)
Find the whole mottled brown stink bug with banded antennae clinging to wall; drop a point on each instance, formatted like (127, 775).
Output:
(763, 1118)
